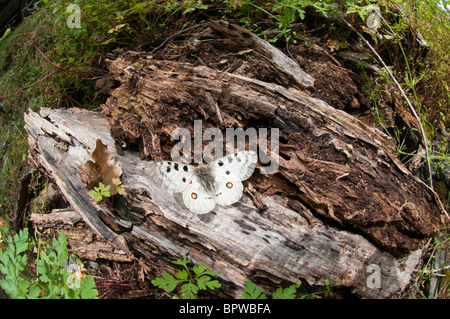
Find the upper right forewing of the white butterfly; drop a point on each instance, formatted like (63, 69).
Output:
(238, 166)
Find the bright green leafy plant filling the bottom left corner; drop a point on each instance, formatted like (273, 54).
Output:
(52, 278)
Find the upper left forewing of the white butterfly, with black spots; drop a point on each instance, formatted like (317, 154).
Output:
(171, 175)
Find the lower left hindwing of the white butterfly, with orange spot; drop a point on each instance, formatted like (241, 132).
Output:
(197, 199)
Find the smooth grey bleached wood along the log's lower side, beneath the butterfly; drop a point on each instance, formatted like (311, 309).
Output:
(238, 242)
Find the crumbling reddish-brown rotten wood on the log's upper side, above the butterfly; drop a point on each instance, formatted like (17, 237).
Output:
(339, 167)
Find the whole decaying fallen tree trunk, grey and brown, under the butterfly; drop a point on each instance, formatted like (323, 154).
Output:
(340, 207)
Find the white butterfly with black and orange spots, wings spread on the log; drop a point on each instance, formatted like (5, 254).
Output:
(204, 186)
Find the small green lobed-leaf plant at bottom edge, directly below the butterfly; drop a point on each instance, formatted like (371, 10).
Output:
(192, 281)
